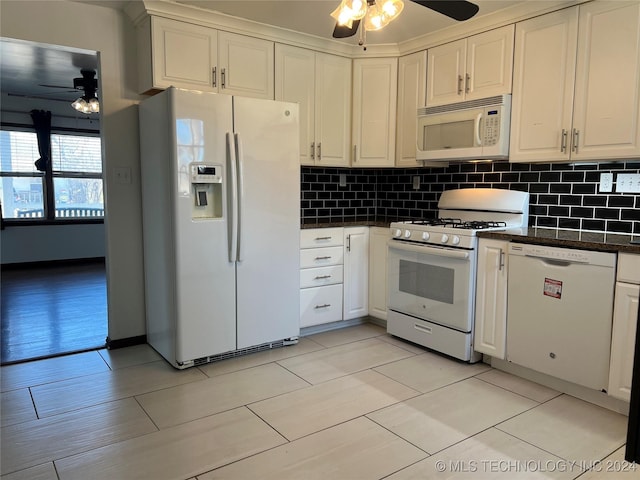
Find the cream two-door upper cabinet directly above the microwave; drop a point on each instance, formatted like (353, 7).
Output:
(476, 67)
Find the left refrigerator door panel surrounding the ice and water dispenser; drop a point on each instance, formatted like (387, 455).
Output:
(205, 277)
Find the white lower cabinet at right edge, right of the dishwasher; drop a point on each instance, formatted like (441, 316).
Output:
(625, 317)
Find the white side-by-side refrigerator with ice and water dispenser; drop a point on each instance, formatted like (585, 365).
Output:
(221, 217)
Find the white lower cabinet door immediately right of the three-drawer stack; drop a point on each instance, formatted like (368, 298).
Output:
(356, 272)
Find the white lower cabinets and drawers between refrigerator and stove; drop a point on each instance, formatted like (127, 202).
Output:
(342, 274)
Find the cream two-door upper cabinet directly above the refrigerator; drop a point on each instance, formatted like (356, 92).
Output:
(174, 53)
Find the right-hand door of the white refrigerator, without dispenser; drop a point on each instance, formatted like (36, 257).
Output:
(268, 303)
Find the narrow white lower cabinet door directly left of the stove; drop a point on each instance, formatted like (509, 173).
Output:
(378, 238)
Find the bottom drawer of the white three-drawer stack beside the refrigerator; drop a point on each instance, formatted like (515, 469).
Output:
(320, 305)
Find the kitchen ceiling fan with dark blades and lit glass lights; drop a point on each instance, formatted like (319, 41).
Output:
(351, 12)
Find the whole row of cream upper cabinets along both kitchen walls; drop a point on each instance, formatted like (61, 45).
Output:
(574, 76)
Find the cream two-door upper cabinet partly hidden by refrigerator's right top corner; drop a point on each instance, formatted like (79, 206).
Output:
(321, 85)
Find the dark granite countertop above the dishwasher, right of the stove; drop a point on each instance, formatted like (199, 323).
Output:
(605, 242)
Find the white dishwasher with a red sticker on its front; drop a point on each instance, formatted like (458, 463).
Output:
(560, 312)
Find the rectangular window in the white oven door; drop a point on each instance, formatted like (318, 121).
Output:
(427, 281)
